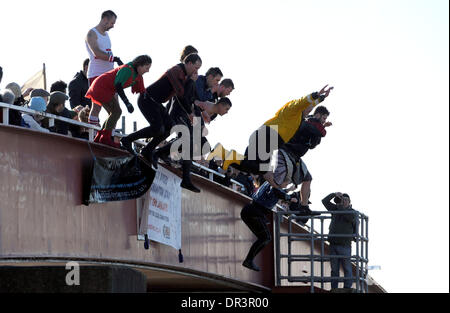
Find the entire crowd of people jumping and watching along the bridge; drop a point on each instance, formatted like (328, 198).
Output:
(179, 100)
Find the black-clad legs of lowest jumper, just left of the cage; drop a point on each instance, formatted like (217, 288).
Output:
(253, 216)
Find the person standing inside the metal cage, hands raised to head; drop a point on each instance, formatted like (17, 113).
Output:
(341, 224)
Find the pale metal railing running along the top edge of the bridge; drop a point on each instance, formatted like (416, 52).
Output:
(5, 107)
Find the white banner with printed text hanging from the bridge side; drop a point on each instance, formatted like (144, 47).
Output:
(163, 205)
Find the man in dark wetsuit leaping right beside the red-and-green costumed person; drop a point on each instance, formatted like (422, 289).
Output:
(174, 83)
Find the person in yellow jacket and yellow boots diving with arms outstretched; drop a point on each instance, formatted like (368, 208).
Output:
(272, 134)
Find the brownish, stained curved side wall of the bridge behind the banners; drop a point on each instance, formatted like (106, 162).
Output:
(42, 216)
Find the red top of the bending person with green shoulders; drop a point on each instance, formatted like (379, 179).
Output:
(102, 89)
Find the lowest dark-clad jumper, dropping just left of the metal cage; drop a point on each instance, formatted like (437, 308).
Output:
(254, 216)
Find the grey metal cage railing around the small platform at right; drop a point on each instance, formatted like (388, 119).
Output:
(317, 250)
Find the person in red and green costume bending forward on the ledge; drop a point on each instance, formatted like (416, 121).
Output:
(104, 88)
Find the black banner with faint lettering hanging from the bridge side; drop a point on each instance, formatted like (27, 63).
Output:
(118, 179)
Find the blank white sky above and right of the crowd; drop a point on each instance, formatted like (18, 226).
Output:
(388, 60)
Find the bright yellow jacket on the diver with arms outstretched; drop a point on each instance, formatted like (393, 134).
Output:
(289, 117)
